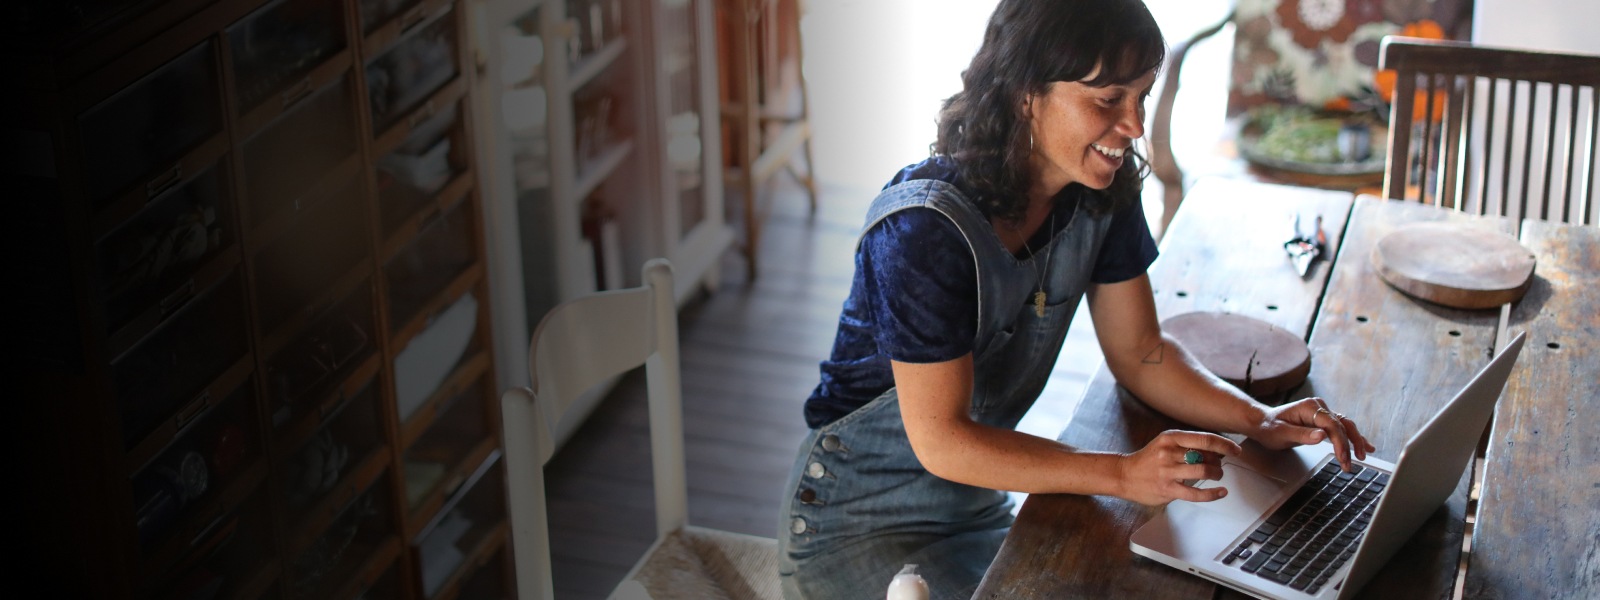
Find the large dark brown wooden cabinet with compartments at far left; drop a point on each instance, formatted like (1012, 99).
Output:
(257, 300)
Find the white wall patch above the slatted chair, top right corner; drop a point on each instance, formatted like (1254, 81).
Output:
(1538, 25)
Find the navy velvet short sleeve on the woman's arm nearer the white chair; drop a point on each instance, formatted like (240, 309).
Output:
(922, 287)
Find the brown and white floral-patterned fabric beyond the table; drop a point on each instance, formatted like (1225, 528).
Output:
(1326, 52)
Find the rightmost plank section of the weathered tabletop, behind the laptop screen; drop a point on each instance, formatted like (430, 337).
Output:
(1538, 534)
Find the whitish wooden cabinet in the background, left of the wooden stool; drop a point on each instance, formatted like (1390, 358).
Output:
(599, 127)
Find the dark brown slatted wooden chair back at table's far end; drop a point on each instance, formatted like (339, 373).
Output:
(1494, 130)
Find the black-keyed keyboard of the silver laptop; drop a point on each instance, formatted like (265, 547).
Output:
(1316, 530)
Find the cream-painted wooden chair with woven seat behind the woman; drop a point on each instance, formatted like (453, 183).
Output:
(575, 348)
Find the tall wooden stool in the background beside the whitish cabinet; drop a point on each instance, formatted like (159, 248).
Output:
(759, 39)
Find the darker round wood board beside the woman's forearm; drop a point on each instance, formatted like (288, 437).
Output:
(1252, 354)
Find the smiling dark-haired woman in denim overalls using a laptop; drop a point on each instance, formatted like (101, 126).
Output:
(967, 276)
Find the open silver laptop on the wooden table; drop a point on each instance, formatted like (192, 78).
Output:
(1297, 527)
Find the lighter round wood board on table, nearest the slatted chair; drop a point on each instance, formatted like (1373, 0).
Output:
(1455, 265)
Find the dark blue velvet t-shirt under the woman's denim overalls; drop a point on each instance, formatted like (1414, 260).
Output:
(914, 295)
